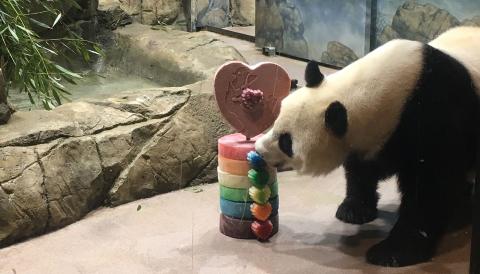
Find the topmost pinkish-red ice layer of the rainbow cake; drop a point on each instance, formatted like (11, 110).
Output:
(235, 146)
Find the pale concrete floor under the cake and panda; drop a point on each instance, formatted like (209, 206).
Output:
(178, 233)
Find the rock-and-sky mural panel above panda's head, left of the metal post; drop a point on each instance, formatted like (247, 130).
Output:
(330, 31)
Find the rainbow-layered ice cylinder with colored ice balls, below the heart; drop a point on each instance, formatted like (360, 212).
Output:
(248, 197)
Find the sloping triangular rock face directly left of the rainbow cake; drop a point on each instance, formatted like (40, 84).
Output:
(182, 153)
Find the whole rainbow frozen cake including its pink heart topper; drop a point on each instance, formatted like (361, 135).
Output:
(249, 99)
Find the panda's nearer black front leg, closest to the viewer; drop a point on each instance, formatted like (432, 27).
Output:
(422, 219)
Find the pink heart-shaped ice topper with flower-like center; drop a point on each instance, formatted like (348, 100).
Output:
(263, 87)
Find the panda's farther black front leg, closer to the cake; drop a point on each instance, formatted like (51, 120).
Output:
(360, 203)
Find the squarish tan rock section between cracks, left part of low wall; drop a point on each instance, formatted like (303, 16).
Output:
(74, 182)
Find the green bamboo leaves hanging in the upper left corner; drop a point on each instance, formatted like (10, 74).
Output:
(27, 58)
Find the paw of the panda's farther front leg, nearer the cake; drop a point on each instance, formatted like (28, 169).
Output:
(353, 211)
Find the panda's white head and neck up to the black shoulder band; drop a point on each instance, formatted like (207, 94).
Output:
(354, 109)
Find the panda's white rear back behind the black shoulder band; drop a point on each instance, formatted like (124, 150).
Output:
(463, 44)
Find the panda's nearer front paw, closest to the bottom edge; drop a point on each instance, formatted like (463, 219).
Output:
(398, 253)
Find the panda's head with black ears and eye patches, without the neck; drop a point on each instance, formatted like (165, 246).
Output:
(308, 134)
